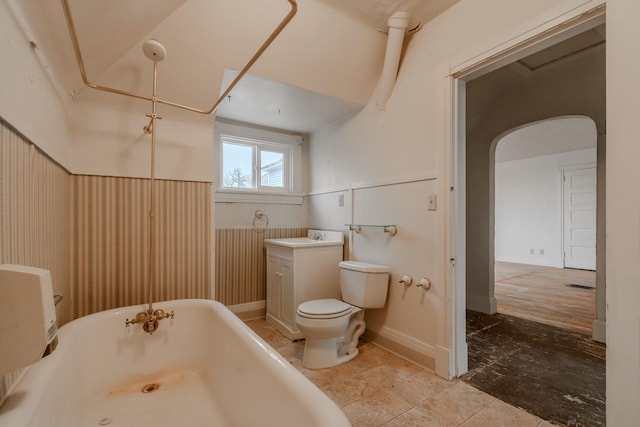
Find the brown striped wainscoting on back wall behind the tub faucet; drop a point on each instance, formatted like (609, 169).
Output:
(110, 242)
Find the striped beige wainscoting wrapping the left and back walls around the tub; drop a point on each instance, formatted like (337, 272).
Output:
(91, 233)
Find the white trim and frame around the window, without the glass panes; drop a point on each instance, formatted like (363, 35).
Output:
(291, 194)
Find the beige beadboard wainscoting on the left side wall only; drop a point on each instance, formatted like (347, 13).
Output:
(34, 218)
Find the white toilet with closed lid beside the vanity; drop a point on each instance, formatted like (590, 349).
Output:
(332, 327)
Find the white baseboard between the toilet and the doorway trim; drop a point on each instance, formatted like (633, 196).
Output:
(404, 346)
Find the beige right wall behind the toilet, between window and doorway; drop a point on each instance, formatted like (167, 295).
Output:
(399, 157)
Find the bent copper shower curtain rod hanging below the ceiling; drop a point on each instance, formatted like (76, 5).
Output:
(254, 58)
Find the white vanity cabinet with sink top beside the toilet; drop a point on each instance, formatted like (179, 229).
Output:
(299, 270)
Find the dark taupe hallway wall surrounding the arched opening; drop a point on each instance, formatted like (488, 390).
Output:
(502, 101)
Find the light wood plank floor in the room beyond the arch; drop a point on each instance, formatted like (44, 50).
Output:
(543, 294)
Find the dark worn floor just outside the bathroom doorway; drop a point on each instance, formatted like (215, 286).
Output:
(553, 373)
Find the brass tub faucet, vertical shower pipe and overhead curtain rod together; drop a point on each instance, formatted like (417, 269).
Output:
(149, 318)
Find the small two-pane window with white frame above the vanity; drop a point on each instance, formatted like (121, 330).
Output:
(257, 165)
